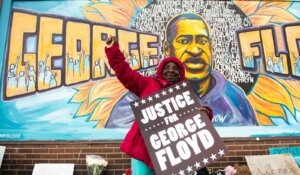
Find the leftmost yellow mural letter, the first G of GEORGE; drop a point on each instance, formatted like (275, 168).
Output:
(21, 67)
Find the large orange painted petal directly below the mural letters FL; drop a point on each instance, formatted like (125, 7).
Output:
(271, 90)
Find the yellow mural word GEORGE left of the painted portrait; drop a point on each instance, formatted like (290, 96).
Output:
(46, 52)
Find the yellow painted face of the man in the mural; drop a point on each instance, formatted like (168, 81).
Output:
(192, 46)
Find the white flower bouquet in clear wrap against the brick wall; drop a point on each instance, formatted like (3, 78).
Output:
(95, 164)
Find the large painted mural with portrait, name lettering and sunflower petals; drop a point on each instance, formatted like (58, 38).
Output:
(242, 58)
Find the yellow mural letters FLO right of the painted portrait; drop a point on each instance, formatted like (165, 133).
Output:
(255, 43)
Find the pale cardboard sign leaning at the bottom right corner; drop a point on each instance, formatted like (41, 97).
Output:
(276, 164)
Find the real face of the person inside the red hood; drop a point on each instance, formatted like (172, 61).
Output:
(171, 72)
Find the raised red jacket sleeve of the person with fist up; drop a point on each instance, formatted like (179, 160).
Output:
(131, 79)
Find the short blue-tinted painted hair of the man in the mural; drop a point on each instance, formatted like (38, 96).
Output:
(172, 24)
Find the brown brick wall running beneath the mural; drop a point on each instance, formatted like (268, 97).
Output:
(20, 157)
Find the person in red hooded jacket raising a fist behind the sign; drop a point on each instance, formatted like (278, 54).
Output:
(169, 72)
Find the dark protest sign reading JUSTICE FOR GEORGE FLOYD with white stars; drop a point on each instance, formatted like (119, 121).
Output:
(179, 138)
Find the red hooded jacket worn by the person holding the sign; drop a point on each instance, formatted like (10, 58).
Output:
(142, 86)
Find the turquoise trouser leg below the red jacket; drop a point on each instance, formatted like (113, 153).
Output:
(139, 168)
